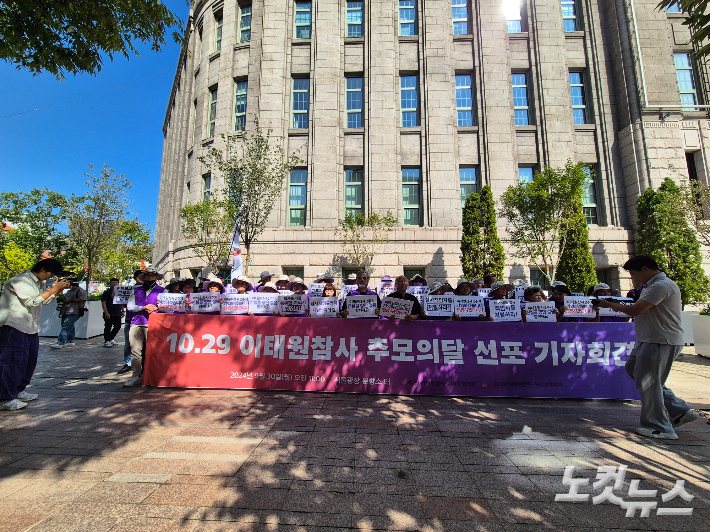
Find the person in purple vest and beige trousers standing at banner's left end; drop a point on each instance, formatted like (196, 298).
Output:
(142, 303)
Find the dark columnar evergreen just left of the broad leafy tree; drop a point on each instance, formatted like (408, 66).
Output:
(481, 250)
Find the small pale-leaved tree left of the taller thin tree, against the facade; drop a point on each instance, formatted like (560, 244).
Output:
(208, 227)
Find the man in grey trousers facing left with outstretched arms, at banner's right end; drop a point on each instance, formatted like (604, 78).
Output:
(659, 332)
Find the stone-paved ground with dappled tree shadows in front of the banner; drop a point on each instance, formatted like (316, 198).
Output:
(90, 455)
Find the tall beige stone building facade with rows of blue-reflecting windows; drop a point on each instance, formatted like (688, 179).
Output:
(406, 105)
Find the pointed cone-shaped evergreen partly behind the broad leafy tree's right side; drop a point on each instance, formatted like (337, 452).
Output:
(577, 267)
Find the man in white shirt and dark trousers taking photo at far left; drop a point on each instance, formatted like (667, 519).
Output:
(20, 309)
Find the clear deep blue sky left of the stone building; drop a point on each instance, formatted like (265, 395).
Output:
(121, 126)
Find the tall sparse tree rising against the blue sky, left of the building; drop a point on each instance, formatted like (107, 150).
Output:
(95, 222)
